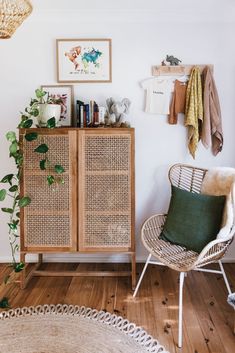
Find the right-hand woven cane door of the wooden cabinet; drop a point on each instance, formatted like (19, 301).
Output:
(106, 190)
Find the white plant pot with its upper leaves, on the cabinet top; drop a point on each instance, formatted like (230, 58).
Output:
(45, 107)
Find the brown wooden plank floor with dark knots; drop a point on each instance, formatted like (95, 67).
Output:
(207, 322)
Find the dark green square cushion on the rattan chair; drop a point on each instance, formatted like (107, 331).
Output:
(193, 220)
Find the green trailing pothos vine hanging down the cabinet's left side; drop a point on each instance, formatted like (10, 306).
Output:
(11, 190)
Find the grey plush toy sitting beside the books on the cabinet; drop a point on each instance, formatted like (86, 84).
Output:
(116, 111)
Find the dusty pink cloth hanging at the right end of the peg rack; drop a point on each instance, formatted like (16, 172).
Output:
(211, 133)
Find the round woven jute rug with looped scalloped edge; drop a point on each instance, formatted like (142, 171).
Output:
(71, 329)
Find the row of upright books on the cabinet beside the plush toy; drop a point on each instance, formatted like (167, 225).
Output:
(89, 115)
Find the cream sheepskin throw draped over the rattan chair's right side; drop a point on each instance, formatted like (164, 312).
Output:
(221, 181)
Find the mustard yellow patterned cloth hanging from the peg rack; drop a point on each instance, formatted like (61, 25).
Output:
(193, 109)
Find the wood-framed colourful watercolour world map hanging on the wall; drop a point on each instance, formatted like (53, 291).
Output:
(84, 60)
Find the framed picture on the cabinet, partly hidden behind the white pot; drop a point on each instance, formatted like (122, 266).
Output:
(65, 92)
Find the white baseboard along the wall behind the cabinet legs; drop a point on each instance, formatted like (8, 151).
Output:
(88, 259)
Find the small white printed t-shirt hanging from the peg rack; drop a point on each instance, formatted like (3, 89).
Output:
(158, 95)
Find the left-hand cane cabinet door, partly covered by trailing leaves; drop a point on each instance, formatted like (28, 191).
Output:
(49, 223)
